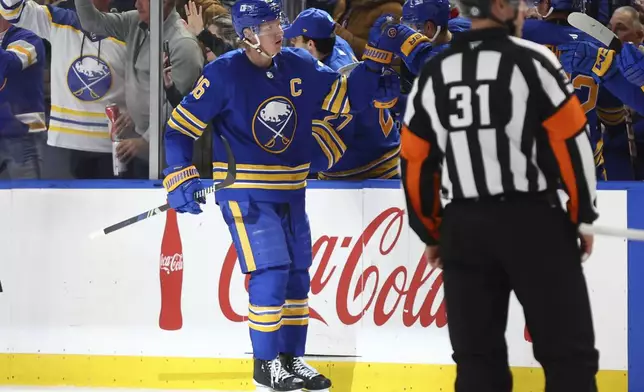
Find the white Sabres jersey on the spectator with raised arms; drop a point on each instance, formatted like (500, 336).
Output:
(87, 74)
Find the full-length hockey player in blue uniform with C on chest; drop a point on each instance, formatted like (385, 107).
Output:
(262, 100)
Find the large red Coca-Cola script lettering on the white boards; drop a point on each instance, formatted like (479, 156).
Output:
(377, 295)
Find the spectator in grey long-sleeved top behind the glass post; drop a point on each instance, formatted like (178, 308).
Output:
(133, 28)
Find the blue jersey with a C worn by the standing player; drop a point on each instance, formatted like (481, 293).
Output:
(266, 116)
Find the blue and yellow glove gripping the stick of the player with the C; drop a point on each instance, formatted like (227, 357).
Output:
(182, 183)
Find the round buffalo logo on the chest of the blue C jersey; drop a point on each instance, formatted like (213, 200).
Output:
(274, 124)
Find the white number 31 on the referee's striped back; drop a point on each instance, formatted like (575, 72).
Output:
(463, 97)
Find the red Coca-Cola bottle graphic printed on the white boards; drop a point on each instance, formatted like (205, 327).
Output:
(171, 274)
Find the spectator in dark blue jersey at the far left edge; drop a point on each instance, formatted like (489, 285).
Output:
(22, 102)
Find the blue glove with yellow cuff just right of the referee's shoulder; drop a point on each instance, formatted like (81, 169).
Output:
(589, 59)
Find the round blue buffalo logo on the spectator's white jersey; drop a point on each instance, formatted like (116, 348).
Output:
(89, 78)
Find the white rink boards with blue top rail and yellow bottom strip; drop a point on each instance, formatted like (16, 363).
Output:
(86, 313)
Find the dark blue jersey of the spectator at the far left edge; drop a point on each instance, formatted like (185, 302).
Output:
(22, 70)
